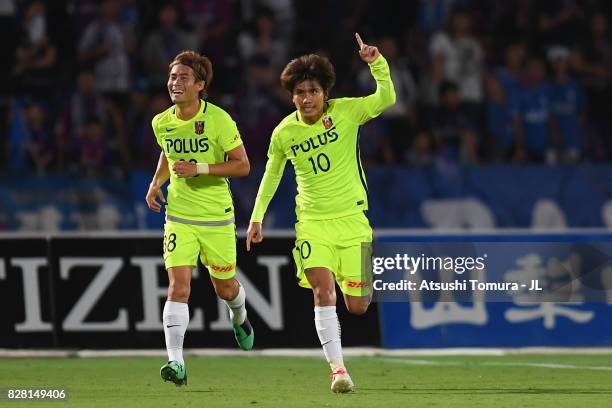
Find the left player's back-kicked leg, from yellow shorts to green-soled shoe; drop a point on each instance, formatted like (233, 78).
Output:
(219, 256)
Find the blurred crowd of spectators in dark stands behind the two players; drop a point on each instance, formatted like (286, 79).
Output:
(477, 81)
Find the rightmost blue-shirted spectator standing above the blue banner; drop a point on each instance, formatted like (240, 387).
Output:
(568, 105)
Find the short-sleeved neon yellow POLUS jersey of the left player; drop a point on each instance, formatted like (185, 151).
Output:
(205, 138)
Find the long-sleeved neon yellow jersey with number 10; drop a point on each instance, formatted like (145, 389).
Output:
(325, 155)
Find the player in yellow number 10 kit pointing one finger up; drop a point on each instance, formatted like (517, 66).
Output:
(321, 139)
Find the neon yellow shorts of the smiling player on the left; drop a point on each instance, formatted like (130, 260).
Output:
(216, 246)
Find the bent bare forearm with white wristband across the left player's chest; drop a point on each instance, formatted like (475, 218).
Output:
(237, 165)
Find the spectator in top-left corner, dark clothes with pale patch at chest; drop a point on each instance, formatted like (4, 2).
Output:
(36, 55)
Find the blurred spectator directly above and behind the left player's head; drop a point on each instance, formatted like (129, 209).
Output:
(163, 43)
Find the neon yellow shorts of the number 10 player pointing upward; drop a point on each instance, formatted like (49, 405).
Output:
(340, 245)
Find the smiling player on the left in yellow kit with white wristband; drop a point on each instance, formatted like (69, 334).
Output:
(201, 148)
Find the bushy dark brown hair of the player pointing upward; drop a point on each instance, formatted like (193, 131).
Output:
(309, 67)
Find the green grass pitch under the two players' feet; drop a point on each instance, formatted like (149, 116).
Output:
(258, 381)
